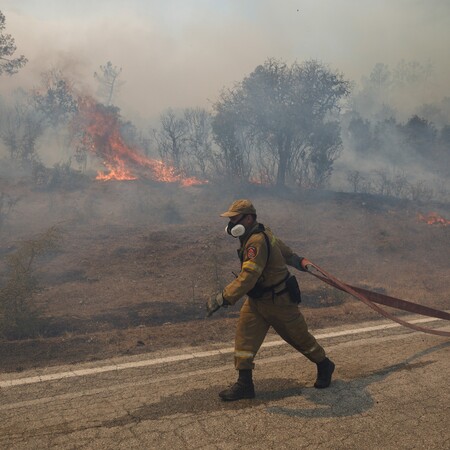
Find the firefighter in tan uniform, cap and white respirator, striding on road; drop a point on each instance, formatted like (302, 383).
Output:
(272, 300)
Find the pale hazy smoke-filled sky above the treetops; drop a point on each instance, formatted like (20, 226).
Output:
(178, 53)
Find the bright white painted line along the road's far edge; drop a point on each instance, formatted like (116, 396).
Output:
(185, 357)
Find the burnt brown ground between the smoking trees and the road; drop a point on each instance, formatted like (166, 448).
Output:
(137, 260)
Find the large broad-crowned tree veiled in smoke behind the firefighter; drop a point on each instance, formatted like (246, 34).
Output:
(288, 111)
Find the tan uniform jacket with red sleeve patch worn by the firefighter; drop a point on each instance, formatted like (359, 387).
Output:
(257, 266)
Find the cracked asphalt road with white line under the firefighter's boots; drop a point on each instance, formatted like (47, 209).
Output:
(390, 391)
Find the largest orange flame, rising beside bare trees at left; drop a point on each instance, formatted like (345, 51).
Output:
(100, 127)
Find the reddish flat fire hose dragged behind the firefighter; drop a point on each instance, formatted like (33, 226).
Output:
(370, 298)
